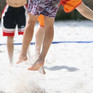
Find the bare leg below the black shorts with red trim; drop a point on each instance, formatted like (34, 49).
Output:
(10, 48)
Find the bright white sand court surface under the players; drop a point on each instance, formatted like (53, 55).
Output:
(69, 66)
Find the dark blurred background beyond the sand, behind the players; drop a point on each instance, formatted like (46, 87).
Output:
(61, 15)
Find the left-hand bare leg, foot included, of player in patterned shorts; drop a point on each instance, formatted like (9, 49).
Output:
(27, 37)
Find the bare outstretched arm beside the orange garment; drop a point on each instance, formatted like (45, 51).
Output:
(85, 11)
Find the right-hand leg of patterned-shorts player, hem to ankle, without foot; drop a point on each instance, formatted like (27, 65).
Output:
(49, 33)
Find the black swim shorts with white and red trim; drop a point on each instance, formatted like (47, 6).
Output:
(12, 17)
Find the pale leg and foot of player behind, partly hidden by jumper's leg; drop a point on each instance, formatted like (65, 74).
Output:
(39, 40)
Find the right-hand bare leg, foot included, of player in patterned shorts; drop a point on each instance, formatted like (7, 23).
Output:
(49, 31)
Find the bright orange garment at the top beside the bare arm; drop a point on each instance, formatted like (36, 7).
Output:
(70, 5)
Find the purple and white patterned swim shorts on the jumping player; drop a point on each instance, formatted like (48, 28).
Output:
(45, 7)
